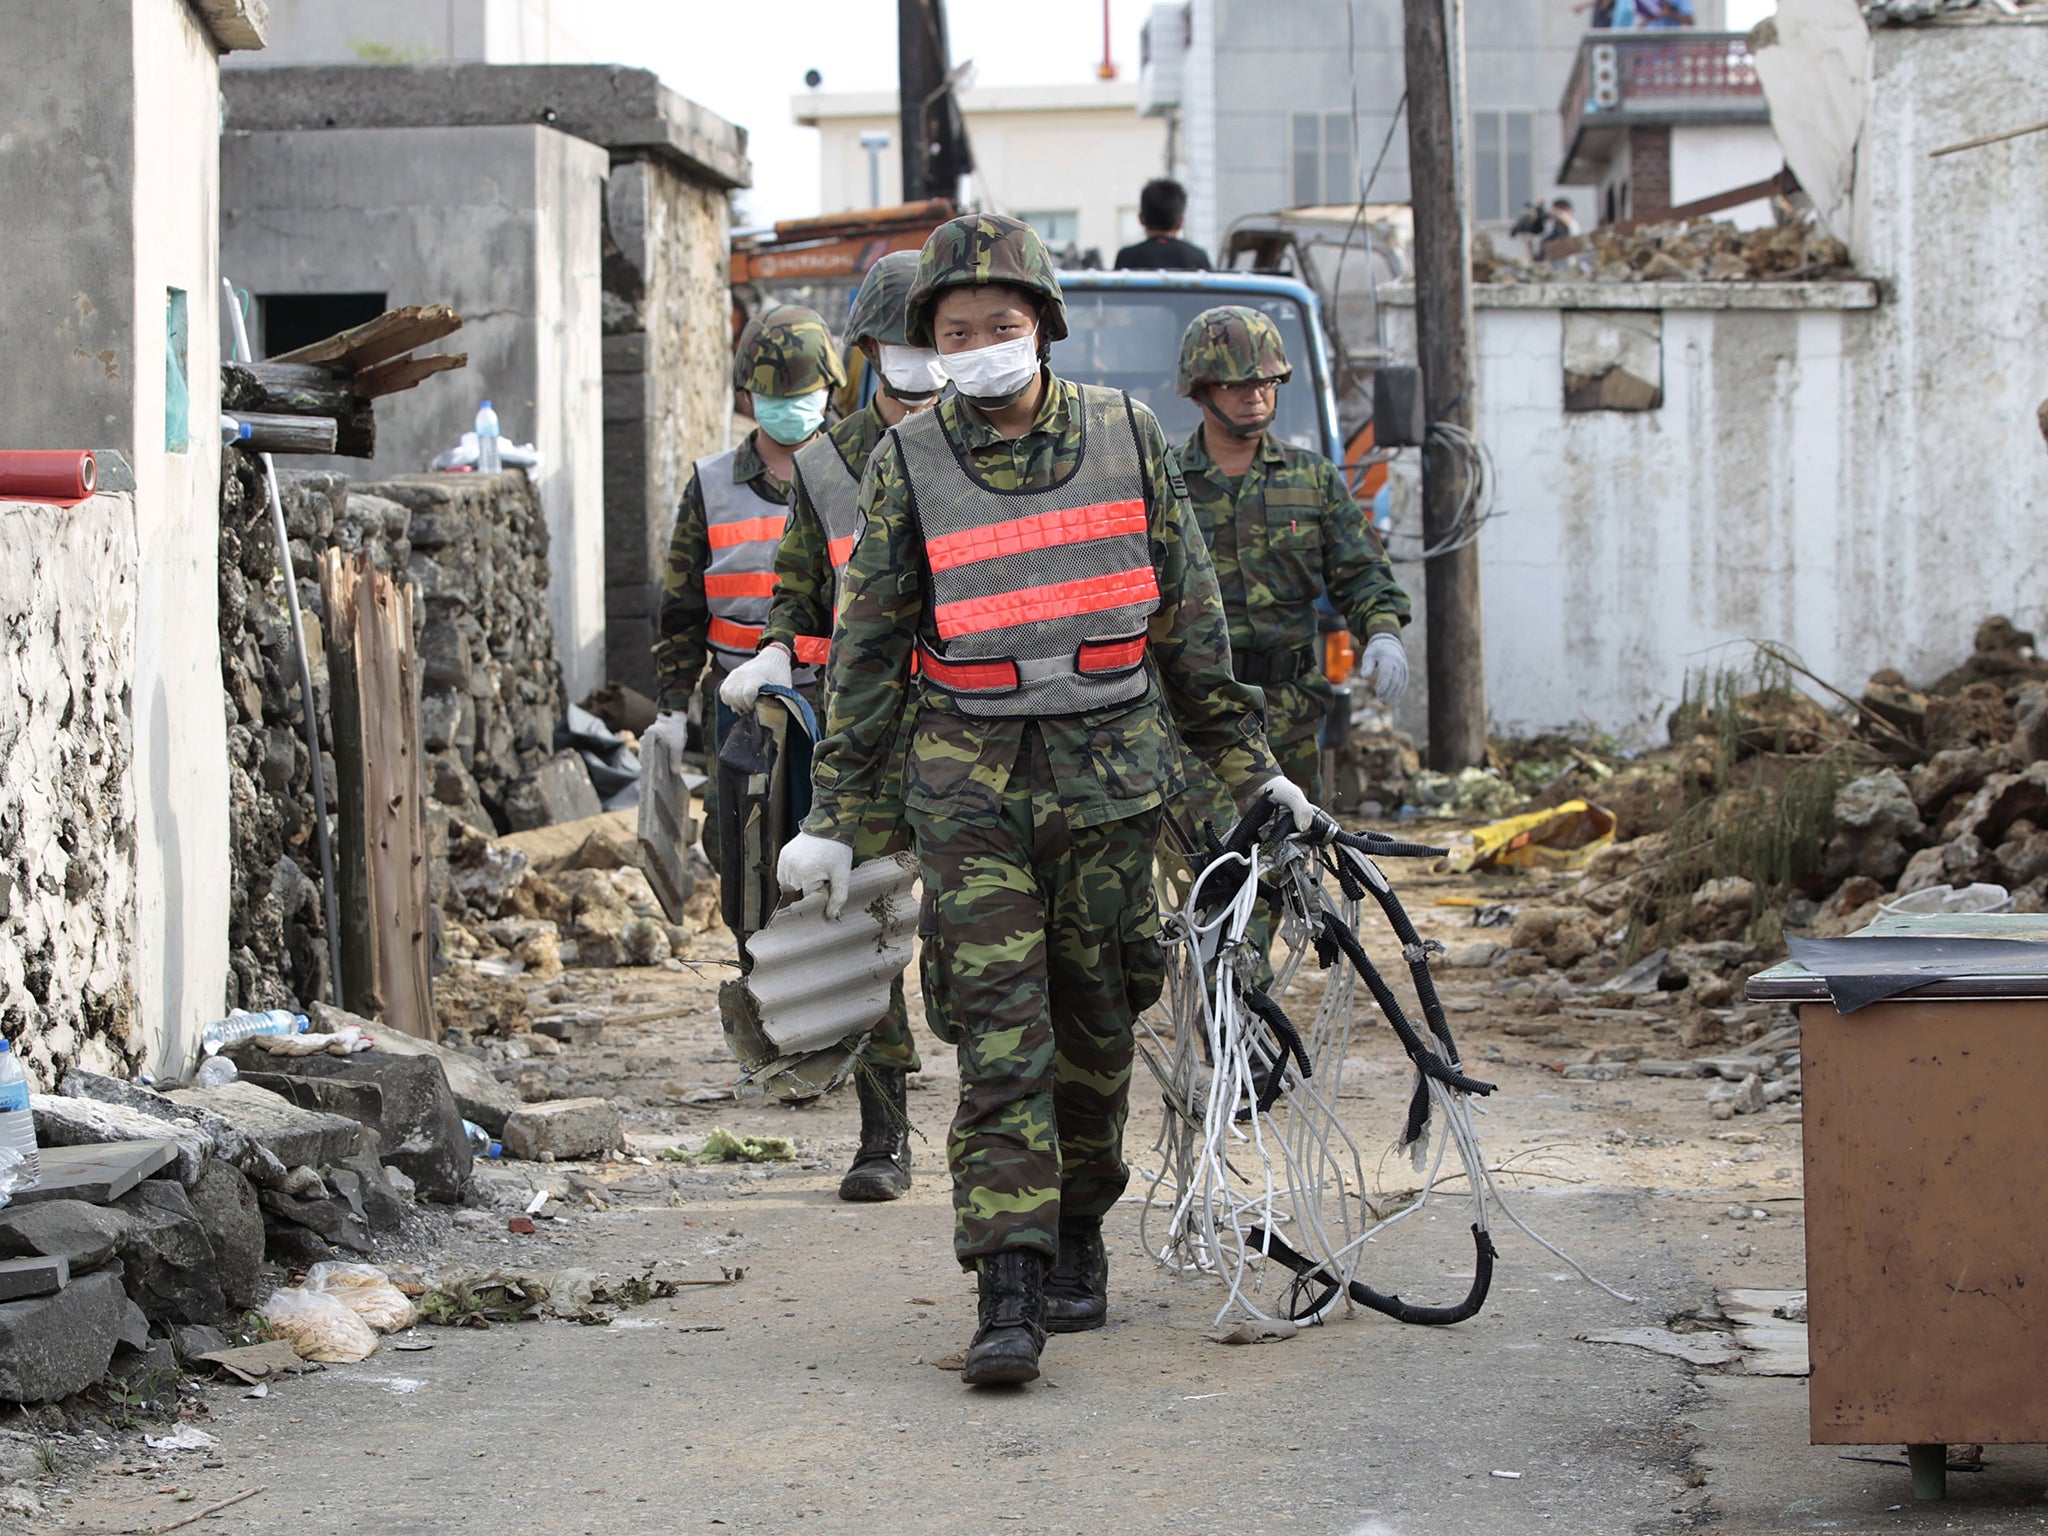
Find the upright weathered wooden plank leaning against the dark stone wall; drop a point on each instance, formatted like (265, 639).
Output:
(382, 871)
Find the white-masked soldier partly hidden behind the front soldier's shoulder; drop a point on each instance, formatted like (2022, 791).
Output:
(824, 517)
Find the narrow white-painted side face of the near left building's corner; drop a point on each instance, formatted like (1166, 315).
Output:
(181, 734)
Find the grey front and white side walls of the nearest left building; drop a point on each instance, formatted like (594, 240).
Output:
(110, 120)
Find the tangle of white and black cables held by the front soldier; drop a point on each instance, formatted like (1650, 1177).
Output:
(1254, 1160)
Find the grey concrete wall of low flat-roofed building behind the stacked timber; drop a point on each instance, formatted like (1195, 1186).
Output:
(501, 222)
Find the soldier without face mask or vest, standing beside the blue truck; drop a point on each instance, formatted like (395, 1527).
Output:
(1283, 531)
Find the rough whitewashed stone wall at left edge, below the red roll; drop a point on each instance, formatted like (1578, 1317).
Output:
(69, 593)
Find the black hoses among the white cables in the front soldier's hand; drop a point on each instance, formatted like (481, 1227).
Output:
(1334, 939)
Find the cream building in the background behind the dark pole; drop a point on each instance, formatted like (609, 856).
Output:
(1068, 161)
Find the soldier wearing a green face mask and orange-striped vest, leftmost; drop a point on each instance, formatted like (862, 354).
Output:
(722, 556)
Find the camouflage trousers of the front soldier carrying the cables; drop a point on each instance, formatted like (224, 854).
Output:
(1039, 951)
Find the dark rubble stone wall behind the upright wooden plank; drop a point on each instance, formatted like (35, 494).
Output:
(476, 552)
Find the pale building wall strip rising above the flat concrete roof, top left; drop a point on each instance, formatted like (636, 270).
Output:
(419, 32)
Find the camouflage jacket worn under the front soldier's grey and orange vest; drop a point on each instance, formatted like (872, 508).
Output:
(1109, 765)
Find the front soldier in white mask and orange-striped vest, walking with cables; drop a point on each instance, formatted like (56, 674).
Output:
(1029, 542)
